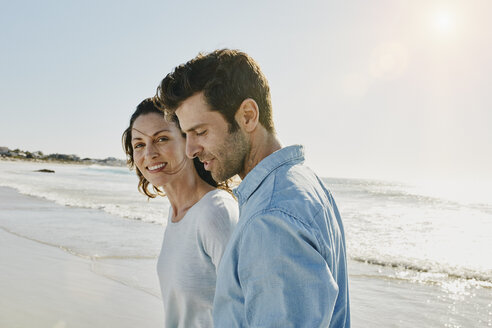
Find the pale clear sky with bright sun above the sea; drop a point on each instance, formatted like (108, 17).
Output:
(375, 89)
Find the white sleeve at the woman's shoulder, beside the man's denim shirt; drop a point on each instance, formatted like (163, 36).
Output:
(220, 218)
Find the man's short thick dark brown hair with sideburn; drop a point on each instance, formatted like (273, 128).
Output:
(226, 78)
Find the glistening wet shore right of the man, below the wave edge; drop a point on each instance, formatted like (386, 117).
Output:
(379, 301)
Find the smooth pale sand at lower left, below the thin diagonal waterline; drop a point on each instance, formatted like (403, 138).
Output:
(43, 286)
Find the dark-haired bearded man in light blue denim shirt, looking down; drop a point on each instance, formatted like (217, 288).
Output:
(285, 264)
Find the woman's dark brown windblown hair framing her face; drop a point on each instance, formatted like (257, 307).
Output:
(146, 107)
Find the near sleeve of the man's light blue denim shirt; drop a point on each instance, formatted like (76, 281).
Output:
(285, 279)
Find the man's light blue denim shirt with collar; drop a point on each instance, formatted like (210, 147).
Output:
(285, 264)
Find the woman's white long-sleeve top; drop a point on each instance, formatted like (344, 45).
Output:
(189, 258)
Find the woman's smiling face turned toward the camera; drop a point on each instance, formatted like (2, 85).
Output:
(158, 149)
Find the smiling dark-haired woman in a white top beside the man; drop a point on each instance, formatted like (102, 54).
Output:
(201, 216)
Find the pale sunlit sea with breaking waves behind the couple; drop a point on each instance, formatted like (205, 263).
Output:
(411, 234)
